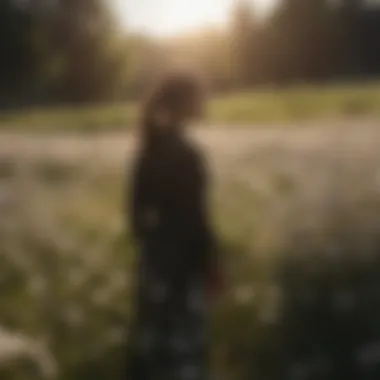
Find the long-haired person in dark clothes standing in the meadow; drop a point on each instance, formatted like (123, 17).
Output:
(178, 261)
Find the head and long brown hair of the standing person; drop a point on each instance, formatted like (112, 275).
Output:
(180, 96)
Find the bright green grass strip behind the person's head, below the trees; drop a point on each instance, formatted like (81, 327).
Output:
(267, 106)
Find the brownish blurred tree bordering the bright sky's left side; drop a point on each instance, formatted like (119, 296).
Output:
(90, 49)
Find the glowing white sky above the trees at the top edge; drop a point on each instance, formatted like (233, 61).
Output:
(169, 17)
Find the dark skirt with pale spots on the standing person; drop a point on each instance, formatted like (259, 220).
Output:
(170, 335)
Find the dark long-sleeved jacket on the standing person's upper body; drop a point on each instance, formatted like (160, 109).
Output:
(168, 213)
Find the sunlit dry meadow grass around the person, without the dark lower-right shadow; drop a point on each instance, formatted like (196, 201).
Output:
(311, 193)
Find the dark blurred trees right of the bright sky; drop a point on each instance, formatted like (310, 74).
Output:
(309, 41)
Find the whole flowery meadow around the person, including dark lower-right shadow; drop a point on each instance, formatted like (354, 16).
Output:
(297, 212)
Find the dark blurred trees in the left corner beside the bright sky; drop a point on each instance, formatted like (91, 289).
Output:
(59, 51)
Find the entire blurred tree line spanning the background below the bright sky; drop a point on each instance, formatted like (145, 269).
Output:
(75, 51)
